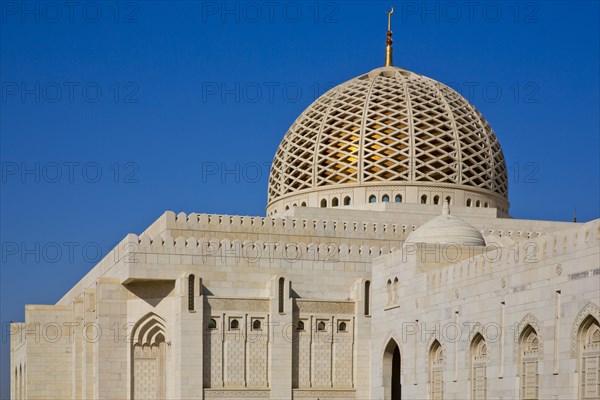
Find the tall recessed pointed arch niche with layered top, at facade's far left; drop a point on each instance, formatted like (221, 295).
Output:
(148, 357)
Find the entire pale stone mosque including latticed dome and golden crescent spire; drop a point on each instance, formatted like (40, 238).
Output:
(387, 267)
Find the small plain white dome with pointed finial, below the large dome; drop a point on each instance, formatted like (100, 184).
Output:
(447, 229)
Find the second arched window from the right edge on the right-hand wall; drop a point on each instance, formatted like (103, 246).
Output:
(529, 345)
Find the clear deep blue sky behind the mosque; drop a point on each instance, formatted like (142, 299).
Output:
(110, 116)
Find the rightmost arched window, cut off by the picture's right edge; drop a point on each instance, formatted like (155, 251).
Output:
(589, 359)
